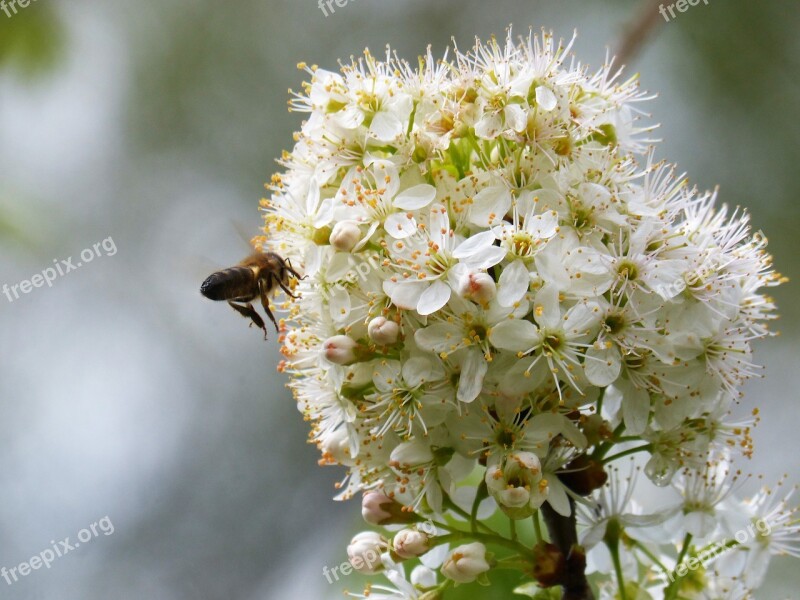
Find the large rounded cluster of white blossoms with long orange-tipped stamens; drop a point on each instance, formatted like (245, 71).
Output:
(504, 292)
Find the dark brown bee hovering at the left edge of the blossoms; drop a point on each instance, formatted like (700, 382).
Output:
(257, 276)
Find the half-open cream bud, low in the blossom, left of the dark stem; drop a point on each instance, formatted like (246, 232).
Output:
(517, 485)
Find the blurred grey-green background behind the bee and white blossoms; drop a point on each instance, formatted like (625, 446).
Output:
(125, 394)
